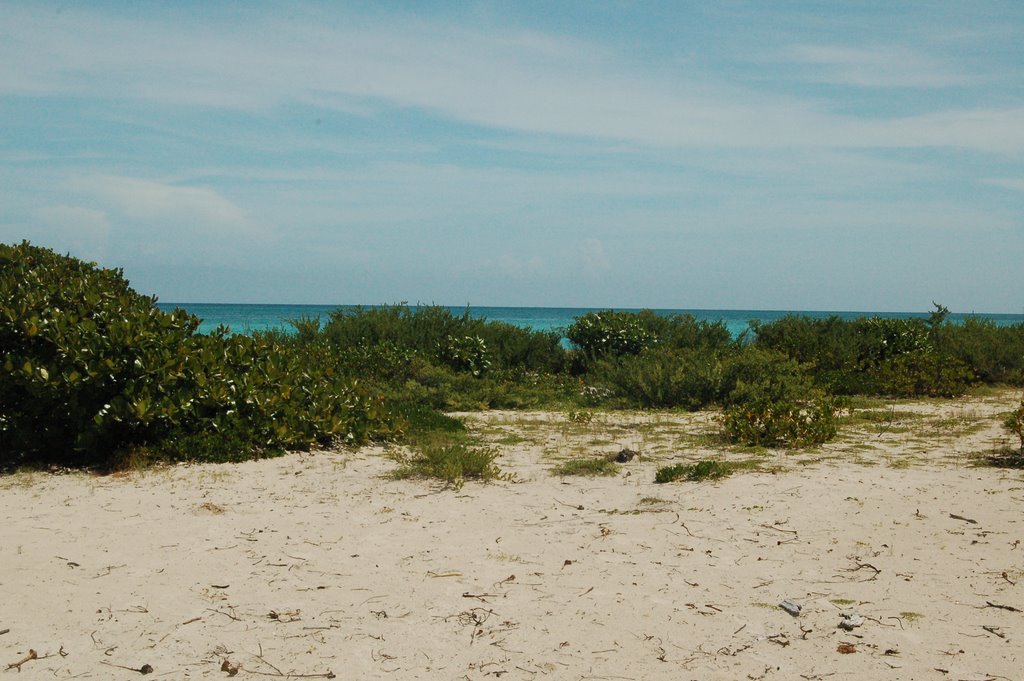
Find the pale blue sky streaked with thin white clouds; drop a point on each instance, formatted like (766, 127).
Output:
(803, 156)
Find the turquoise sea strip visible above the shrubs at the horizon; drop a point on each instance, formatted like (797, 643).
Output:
(249, 318)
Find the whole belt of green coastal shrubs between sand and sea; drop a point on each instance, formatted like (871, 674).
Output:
(95, 374)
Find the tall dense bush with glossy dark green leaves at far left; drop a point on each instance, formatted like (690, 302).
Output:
(93, 368)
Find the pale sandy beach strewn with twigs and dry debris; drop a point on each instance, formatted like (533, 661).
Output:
(319, 566)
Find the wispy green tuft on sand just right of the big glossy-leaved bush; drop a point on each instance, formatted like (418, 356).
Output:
(453, 462)
